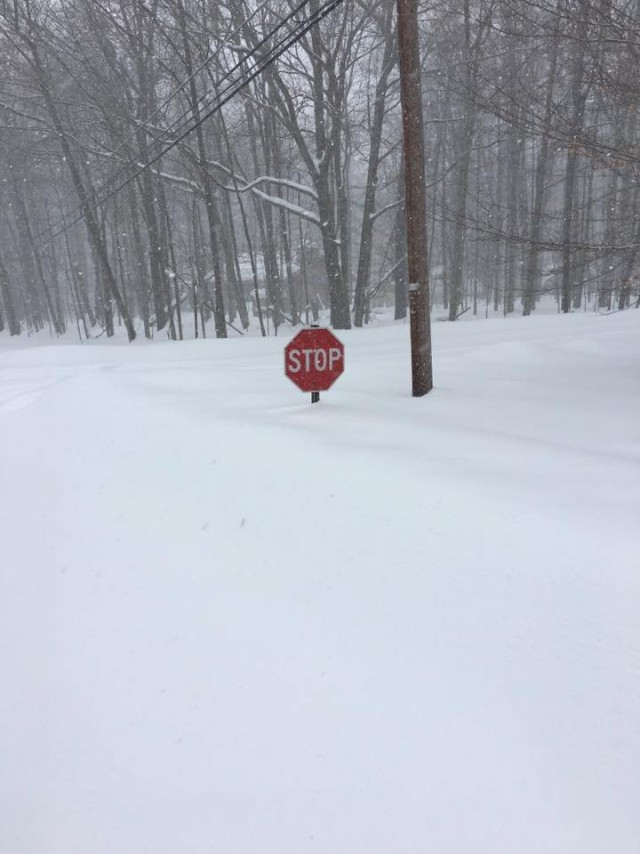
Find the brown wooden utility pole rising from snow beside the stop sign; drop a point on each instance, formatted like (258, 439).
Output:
(415, 197)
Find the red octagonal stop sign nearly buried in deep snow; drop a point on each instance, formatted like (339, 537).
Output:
(314, 359)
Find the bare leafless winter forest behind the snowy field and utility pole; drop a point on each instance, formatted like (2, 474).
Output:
(191, 168)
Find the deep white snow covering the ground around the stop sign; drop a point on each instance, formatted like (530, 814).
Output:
(234, 622)
